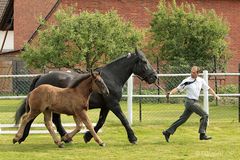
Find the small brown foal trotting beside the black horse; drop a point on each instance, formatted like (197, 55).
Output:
(71, 101)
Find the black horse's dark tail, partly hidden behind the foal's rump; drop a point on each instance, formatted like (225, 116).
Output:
(24, 106)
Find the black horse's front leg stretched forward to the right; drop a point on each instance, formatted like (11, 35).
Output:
(116, 109)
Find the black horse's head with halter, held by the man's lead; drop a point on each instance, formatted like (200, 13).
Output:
(143, 68)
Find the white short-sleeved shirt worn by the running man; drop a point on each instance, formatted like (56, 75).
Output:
(193, 90)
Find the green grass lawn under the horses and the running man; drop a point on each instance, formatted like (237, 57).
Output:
(184, 144)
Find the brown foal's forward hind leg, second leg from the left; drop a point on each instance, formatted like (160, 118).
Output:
(48, 124)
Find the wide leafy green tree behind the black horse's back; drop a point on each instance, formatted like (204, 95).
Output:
(84, 38)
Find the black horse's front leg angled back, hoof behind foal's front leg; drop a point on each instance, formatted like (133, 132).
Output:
(102, 118)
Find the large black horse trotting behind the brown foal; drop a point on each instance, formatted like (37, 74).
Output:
(115, 75)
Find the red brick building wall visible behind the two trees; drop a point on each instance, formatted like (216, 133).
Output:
(27, 12)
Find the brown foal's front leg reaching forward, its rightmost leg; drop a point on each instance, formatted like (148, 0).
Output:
(84, 117)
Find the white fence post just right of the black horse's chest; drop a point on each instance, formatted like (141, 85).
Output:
(129, 99)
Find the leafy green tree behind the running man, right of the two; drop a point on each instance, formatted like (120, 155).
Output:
(183, 36)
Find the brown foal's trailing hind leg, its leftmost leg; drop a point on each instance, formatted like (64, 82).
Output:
(27, 117)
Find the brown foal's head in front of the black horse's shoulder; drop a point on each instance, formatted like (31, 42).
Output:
(98, 84)
